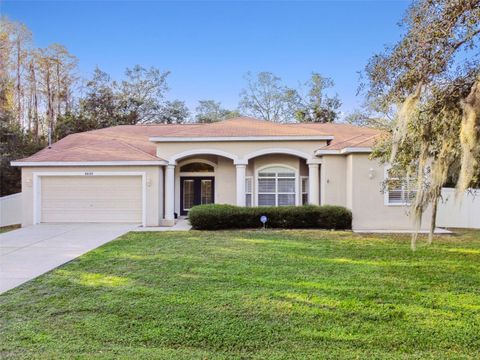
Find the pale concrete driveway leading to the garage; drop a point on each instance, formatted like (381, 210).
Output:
(32, 251)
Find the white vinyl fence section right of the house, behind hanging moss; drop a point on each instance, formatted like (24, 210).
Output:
(464, 213)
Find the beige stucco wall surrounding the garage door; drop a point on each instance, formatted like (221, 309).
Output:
(154, 190)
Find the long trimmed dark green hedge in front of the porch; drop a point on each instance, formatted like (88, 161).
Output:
(216, 217)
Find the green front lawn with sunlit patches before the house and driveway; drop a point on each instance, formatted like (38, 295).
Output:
(252, 294)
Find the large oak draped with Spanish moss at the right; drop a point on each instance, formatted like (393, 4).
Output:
(431, 80)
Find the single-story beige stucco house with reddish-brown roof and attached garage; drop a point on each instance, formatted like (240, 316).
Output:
(150, 174)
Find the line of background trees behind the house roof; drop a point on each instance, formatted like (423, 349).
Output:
(43, 98)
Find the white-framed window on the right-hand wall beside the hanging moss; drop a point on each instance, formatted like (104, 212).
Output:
(399, 189)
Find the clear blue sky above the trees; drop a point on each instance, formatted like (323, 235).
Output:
(209, 46)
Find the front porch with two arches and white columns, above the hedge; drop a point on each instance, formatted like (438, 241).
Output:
(262, 179)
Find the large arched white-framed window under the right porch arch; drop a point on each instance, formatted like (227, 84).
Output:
(276, 186)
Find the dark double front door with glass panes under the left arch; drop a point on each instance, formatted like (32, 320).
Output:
(195, 190)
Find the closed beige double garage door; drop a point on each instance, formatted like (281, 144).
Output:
(91, 199)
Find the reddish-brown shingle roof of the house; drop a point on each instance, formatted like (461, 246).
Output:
(131, 142)
